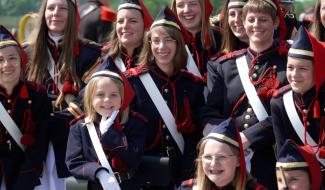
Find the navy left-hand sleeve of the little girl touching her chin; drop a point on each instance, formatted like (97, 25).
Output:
(76, 161)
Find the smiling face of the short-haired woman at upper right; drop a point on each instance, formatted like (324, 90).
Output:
(259, 28)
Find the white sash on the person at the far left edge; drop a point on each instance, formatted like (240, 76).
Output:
(11, 126)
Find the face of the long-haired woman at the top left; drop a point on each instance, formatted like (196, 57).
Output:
(56, 15)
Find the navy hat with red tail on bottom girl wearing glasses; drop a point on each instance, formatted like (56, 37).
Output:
(228, 133)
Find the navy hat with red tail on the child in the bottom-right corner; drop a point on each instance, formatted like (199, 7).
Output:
(294, 157)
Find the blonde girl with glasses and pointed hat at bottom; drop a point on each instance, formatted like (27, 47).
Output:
(220, 163)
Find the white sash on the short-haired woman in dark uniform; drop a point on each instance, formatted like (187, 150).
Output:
(250, 90)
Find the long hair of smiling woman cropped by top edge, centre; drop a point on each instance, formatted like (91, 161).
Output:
(205, 25)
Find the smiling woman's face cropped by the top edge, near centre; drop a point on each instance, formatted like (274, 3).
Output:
(189, 14)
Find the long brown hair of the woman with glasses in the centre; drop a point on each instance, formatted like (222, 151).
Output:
(146, 58)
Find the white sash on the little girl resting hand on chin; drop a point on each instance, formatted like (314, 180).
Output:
(98, 148)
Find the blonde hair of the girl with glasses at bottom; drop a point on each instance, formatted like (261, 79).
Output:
(203, 182)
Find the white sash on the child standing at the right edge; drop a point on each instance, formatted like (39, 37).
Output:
(296, 123)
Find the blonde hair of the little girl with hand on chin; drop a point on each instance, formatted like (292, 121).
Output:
(89, 95)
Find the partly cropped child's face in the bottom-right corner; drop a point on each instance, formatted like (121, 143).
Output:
(295, 179)
